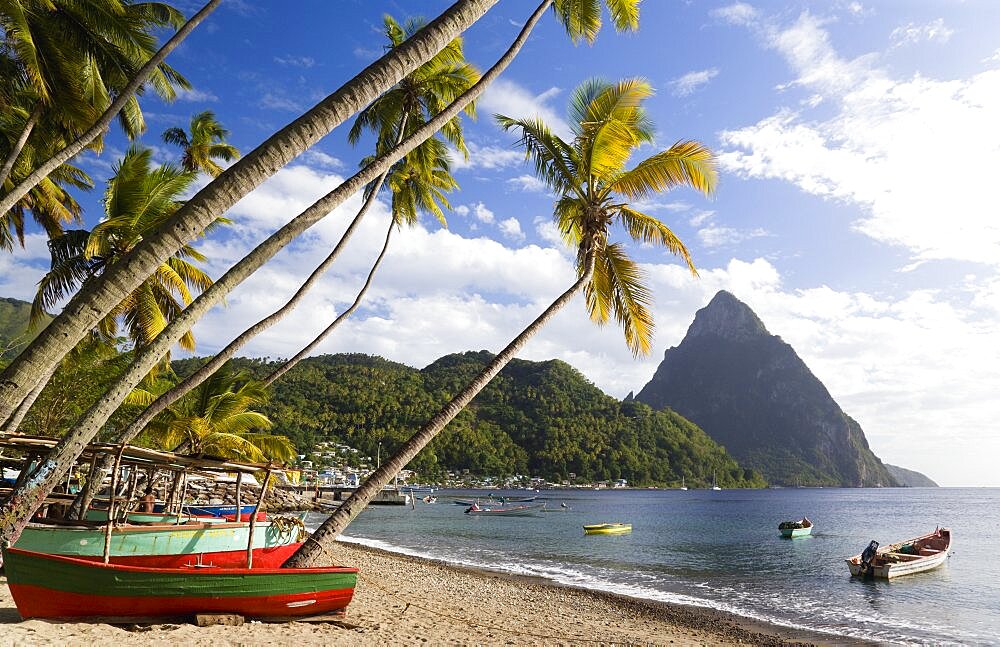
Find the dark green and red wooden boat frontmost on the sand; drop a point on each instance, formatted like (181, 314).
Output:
(54, 587)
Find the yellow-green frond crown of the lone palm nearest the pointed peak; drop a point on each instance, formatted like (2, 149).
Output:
(594, 187)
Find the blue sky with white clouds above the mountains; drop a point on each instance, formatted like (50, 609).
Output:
(857, 145)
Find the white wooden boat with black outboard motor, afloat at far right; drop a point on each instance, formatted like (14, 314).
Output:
(903, 558)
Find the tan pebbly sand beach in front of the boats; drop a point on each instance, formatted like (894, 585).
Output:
(406, 601)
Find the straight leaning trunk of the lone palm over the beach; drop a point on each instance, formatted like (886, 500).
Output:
(313, 551)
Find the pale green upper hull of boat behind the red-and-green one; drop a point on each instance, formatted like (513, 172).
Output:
(154, 540)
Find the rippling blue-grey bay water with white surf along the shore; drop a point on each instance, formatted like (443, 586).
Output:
(722, 550)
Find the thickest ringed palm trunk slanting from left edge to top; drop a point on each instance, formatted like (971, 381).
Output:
(96, 300)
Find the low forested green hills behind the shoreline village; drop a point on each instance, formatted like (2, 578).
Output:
(535, 418)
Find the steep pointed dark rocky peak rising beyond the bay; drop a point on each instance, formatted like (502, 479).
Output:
(752, 394)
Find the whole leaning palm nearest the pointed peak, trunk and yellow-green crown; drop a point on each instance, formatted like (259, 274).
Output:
(594, 187)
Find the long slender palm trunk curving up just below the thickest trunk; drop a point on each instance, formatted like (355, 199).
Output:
(14, 516)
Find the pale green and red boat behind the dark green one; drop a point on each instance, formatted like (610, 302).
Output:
(163, 545)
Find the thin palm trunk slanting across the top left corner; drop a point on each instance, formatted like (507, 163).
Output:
(81, 142)
